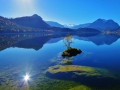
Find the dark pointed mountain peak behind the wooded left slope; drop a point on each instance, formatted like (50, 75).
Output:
(33, 21)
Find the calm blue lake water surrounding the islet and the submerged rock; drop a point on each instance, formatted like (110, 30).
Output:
(33, 54)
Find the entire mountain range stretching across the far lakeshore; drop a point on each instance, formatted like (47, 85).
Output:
(35, 24)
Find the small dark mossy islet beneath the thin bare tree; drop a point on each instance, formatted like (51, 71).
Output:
(71, 52)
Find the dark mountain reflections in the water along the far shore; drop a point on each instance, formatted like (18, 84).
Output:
(36, 41)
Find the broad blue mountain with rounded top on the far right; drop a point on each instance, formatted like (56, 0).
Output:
(102, 24)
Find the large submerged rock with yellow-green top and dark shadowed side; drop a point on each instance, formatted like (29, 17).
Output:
(82, 74)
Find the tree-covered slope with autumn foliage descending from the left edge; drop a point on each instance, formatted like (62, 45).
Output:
(7, 26)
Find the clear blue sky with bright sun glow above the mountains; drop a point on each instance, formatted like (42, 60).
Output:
(63, 11)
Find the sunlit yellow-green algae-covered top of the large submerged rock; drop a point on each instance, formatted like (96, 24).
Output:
(79, 70)
